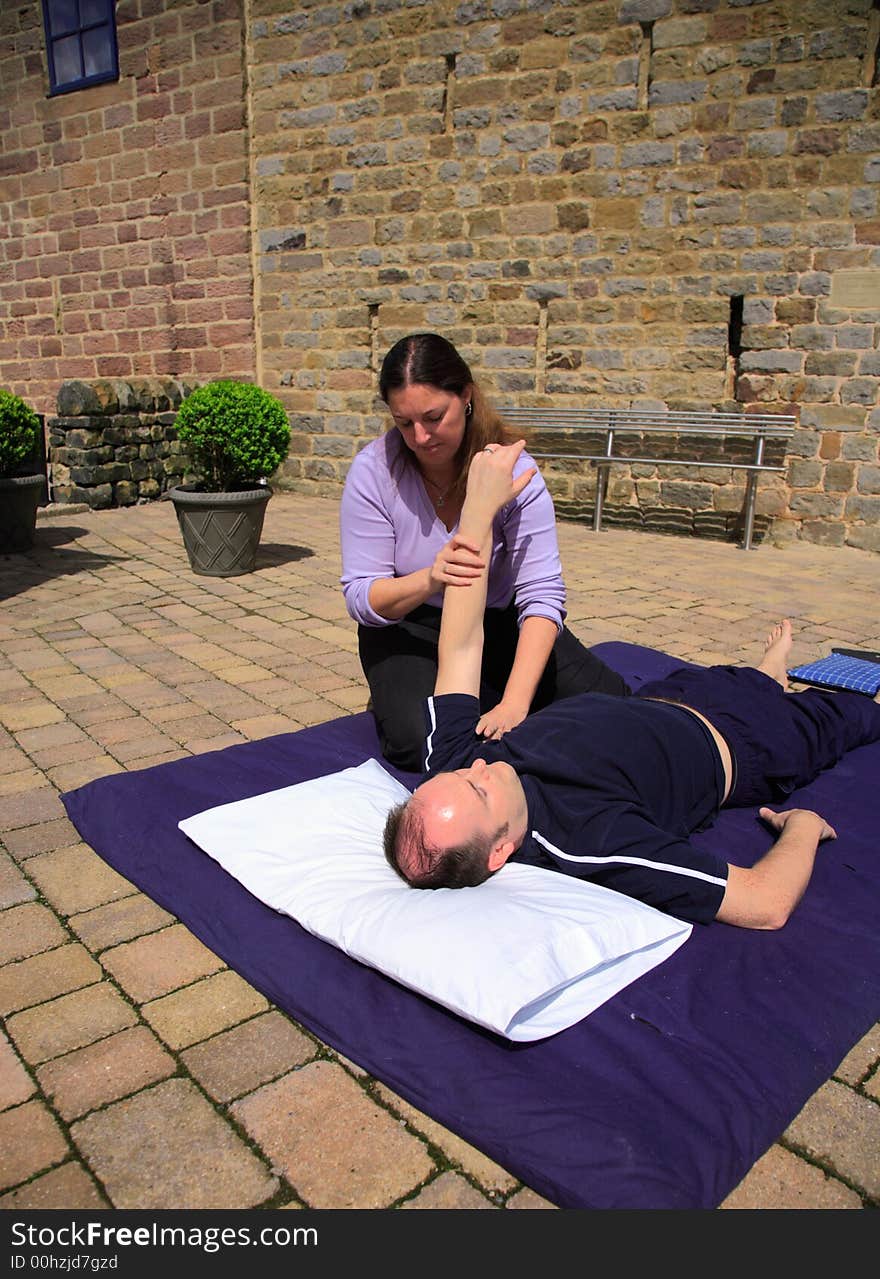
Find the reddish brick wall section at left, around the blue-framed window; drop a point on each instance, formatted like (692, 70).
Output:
(126, 246)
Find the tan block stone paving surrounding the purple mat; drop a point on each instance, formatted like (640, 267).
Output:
(136, 1070)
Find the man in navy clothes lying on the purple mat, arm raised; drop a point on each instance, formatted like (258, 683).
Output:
(611, 789)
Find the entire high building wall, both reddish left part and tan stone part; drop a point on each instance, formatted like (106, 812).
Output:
(635, 203)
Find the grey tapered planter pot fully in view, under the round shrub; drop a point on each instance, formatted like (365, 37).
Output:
(222, 530)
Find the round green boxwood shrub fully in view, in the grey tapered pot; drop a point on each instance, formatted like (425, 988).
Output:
(236, 434)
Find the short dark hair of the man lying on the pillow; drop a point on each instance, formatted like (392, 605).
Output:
(424, 865)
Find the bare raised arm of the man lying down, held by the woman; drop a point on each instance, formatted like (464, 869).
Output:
(491, 487)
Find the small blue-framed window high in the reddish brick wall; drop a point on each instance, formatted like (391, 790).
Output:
(81, 43)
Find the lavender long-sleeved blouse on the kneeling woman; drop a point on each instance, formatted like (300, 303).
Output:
(389, 529)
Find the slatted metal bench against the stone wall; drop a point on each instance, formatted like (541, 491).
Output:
(616, 423)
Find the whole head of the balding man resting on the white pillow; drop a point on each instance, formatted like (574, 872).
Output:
(459, 828)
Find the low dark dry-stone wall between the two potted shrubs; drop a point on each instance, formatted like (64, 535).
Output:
(114, 443)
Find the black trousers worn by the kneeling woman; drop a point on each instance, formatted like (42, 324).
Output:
(401, 664)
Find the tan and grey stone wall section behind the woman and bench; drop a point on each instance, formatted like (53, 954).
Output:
(635, 203)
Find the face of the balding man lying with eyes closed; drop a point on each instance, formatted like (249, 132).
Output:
(474, 803)
